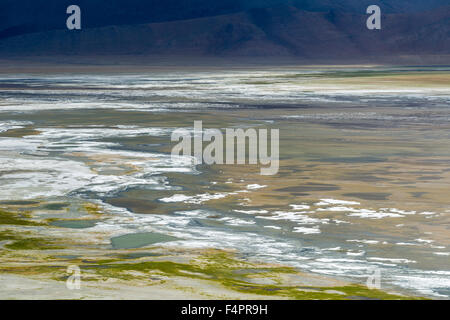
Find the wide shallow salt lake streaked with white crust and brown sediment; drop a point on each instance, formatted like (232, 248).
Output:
(363, 179)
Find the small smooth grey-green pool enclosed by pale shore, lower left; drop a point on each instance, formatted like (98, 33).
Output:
(138, 240)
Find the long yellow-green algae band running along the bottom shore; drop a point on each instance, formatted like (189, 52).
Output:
(213, 266)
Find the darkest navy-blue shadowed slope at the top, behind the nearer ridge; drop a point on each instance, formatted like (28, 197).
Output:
(25, 16)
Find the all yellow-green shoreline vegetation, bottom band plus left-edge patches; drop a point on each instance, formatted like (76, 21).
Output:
(147, 268)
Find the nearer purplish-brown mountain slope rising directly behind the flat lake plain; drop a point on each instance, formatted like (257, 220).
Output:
(269, 32)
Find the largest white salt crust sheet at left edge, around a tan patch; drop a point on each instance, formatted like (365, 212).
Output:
(26, 174)
